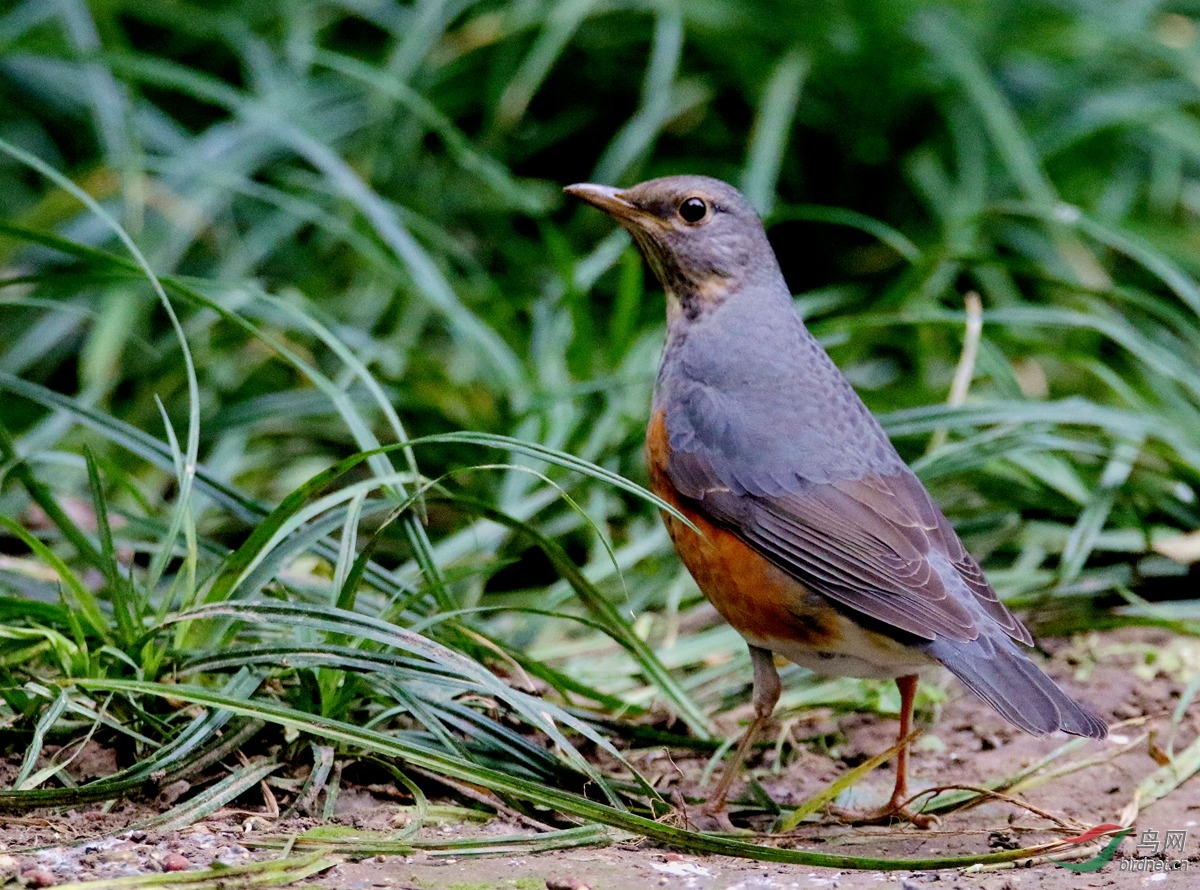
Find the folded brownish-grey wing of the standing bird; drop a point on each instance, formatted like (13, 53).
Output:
(877, 544)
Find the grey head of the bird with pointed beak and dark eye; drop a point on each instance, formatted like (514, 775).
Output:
(700, 236)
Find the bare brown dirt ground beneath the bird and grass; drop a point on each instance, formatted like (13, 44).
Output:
(1135, 679)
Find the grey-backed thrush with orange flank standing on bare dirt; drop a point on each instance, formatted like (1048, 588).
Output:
(807, 531)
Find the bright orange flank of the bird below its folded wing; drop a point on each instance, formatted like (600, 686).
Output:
(758, 599)
